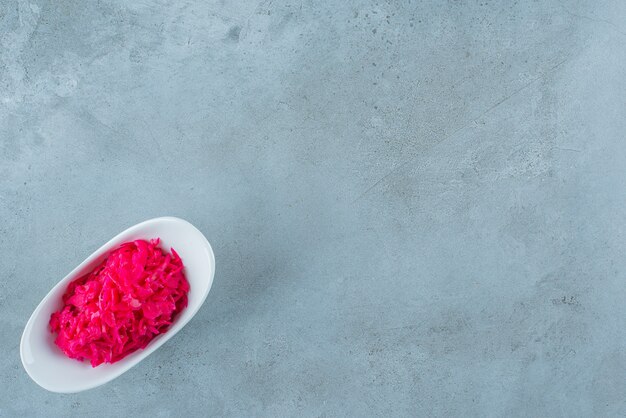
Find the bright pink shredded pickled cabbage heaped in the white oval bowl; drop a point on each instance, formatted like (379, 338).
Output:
(118, 308)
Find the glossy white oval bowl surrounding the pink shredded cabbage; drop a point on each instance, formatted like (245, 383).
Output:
(46, 364)
